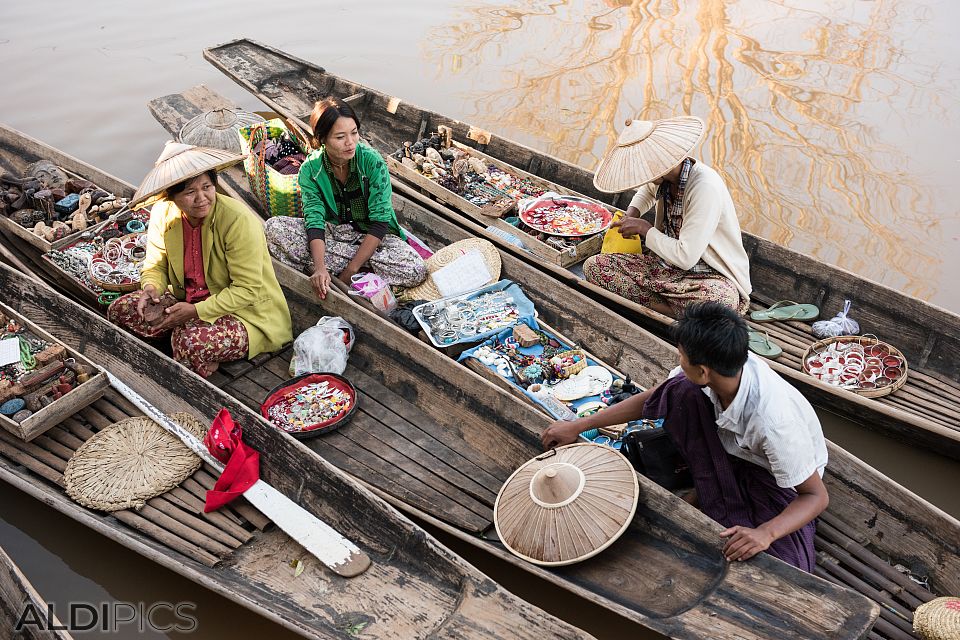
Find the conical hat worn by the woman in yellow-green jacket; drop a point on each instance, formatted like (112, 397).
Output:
(180, 162)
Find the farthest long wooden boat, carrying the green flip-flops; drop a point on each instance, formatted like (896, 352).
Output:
(925, 412)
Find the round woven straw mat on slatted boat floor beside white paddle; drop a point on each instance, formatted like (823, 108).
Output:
(129, 462)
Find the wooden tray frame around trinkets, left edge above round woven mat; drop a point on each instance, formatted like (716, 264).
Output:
(55, 412)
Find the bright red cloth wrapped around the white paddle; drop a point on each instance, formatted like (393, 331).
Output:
(224, 441)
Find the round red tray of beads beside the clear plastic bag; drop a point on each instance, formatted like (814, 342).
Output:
(311, 404)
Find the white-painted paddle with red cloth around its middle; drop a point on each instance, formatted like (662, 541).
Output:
(331, 548)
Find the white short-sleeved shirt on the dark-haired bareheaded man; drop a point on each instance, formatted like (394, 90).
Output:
(769, 423)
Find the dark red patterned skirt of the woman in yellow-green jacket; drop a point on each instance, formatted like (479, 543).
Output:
(198, 345)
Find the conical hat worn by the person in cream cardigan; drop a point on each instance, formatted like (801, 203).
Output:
(645, 151)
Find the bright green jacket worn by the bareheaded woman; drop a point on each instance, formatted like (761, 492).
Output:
(319, 201)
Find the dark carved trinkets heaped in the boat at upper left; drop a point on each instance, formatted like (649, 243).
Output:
(52, 205)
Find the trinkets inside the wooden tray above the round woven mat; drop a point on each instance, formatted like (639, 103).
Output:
(41, 374)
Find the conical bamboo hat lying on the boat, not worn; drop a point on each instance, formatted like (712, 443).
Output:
(567, 505)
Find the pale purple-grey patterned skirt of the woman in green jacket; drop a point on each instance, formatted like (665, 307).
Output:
(394, 260)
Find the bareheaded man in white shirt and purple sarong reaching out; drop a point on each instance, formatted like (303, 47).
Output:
(753, 443)
